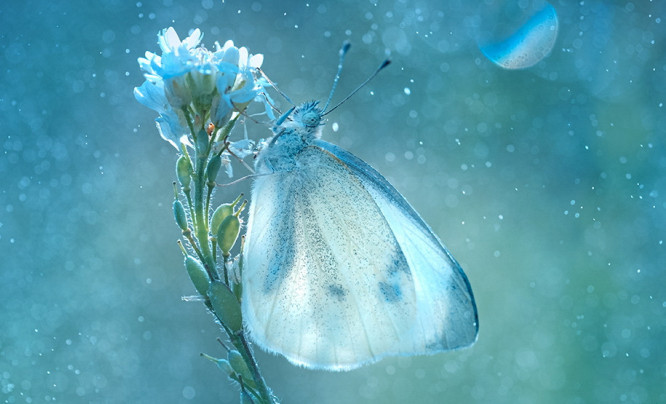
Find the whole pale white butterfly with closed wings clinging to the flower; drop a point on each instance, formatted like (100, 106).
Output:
(338, 269)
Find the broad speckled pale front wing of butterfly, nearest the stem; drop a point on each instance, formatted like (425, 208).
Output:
(332, 288)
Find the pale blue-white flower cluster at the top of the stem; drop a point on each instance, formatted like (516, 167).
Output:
(190, 86)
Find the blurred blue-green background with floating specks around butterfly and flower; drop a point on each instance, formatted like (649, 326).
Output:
(547, 182)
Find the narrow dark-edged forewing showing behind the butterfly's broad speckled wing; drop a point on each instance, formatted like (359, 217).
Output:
(446, 306)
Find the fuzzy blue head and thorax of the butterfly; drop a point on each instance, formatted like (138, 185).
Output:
(291, 134)
